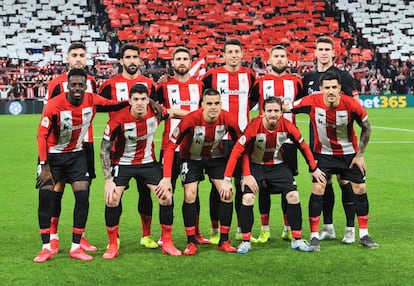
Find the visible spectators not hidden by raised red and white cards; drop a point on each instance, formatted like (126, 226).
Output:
(379, 75)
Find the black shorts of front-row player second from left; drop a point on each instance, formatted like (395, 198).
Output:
(150, 173)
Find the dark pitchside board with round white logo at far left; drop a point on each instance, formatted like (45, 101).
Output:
(16, 107)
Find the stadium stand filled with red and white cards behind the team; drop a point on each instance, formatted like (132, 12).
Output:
(373, 38)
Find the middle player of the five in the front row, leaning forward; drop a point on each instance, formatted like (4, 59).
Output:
(199, 136)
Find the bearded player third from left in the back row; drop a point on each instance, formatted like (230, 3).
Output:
(180, 92)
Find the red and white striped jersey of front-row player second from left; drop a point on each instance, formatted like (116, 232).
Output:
(133, 138)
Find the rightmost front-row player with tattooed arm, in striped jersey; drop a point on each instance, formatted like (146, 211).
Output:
(336, 149)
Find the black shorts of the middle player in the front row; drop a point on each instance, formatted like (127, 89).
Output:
(193, 170)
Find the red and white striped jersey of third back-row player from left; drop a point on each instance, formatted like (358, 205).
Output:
(175, 94)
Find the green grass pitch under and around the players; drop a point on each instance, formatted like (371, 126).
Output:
(390, 161)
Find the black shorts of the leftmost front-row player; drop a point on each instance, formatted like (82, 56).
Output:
(68, 167)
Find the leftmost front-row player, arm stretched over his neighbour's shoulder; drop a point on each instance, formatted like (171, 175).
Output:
(65, 122)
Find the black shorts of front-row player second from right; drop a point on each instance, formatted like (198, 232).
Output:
(278, 178)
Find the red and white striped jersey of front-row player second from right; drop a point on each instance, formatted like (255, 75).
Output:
(264, 146)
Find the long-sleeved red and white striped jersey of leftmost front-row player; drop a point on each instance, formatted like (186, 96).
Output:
(64, 126)
